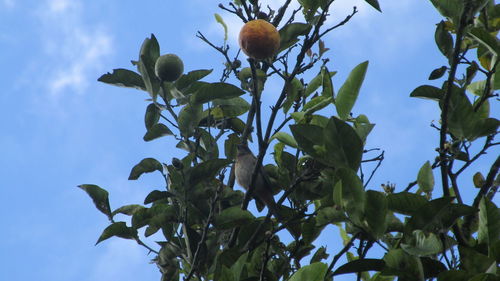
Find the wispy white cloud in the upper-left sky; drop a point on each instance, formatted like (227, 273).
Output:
(74, 48)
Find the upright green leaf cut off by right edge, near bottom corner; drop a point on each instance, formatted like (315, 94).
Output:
(489, 224)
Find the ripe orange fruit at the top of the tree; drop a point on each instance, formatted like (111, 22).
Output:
(259, 39)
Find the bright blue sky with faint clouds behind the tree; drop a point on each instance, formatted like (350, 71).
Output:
(62, 128)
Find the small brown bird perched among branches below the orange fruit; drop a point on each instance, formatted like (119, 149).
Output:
(245, 163)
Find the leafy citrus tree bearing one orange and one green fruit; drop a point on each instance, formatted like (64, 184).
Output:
(315, 165)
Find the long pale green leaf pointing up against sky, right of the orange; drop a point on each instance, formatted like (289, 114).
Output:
(349, 91)
